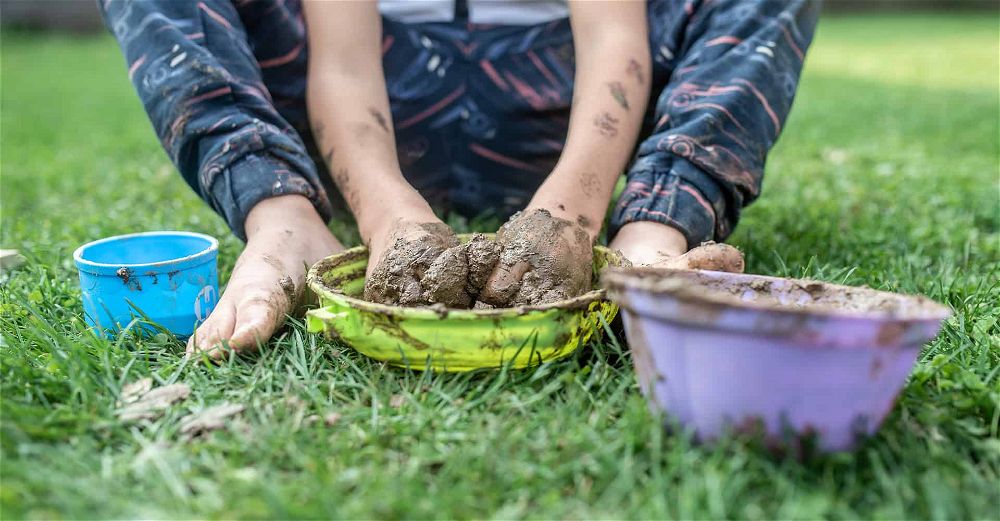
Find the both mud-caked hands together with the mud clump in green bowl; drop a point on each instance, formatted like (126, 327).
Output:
(536, 259)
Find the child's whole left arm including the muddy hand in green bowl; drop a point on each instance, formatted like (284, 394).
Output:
(349, 112)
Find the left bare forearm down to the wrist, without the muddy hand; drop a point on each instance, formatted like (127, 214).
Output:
(349, 112)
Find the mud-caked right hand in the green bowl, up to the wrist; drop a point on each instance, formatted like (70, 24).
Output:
(542, 259)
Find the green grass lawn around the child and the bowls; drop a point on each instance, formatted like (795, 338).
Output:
(887, 175)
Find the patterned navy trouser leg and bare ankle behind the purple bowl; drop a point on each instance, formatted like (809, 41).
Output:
(734, 69)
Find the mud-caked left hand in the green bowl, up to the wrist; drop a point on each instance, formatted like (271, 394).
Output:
(418, 264)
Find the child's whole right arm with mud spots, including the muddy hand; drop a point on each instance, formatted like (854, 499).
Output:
(612, 85)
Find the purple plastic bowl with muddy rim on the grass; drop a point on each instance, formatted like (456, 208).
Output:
(722, 351)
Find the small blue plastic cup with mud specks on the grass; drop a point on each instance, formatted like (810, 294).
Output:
(170, 278)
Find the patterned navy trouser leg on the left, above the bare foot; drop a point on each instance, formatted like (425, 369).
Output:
(234, 154)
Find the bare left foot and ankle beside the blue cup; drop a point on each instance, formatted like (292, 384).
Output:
(284, 235)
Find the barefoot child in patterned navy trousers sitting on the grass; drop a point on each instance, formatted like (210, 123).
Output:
(468, 106)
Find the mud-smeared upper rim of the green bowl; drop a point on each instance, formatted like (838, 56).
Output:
(318, 285)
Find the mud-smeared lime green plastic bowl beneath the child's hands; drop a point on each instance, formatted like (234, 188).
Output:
(452, 339)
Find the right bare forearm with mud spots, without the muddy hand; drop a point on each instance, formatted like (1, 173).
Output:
(609, 99)
